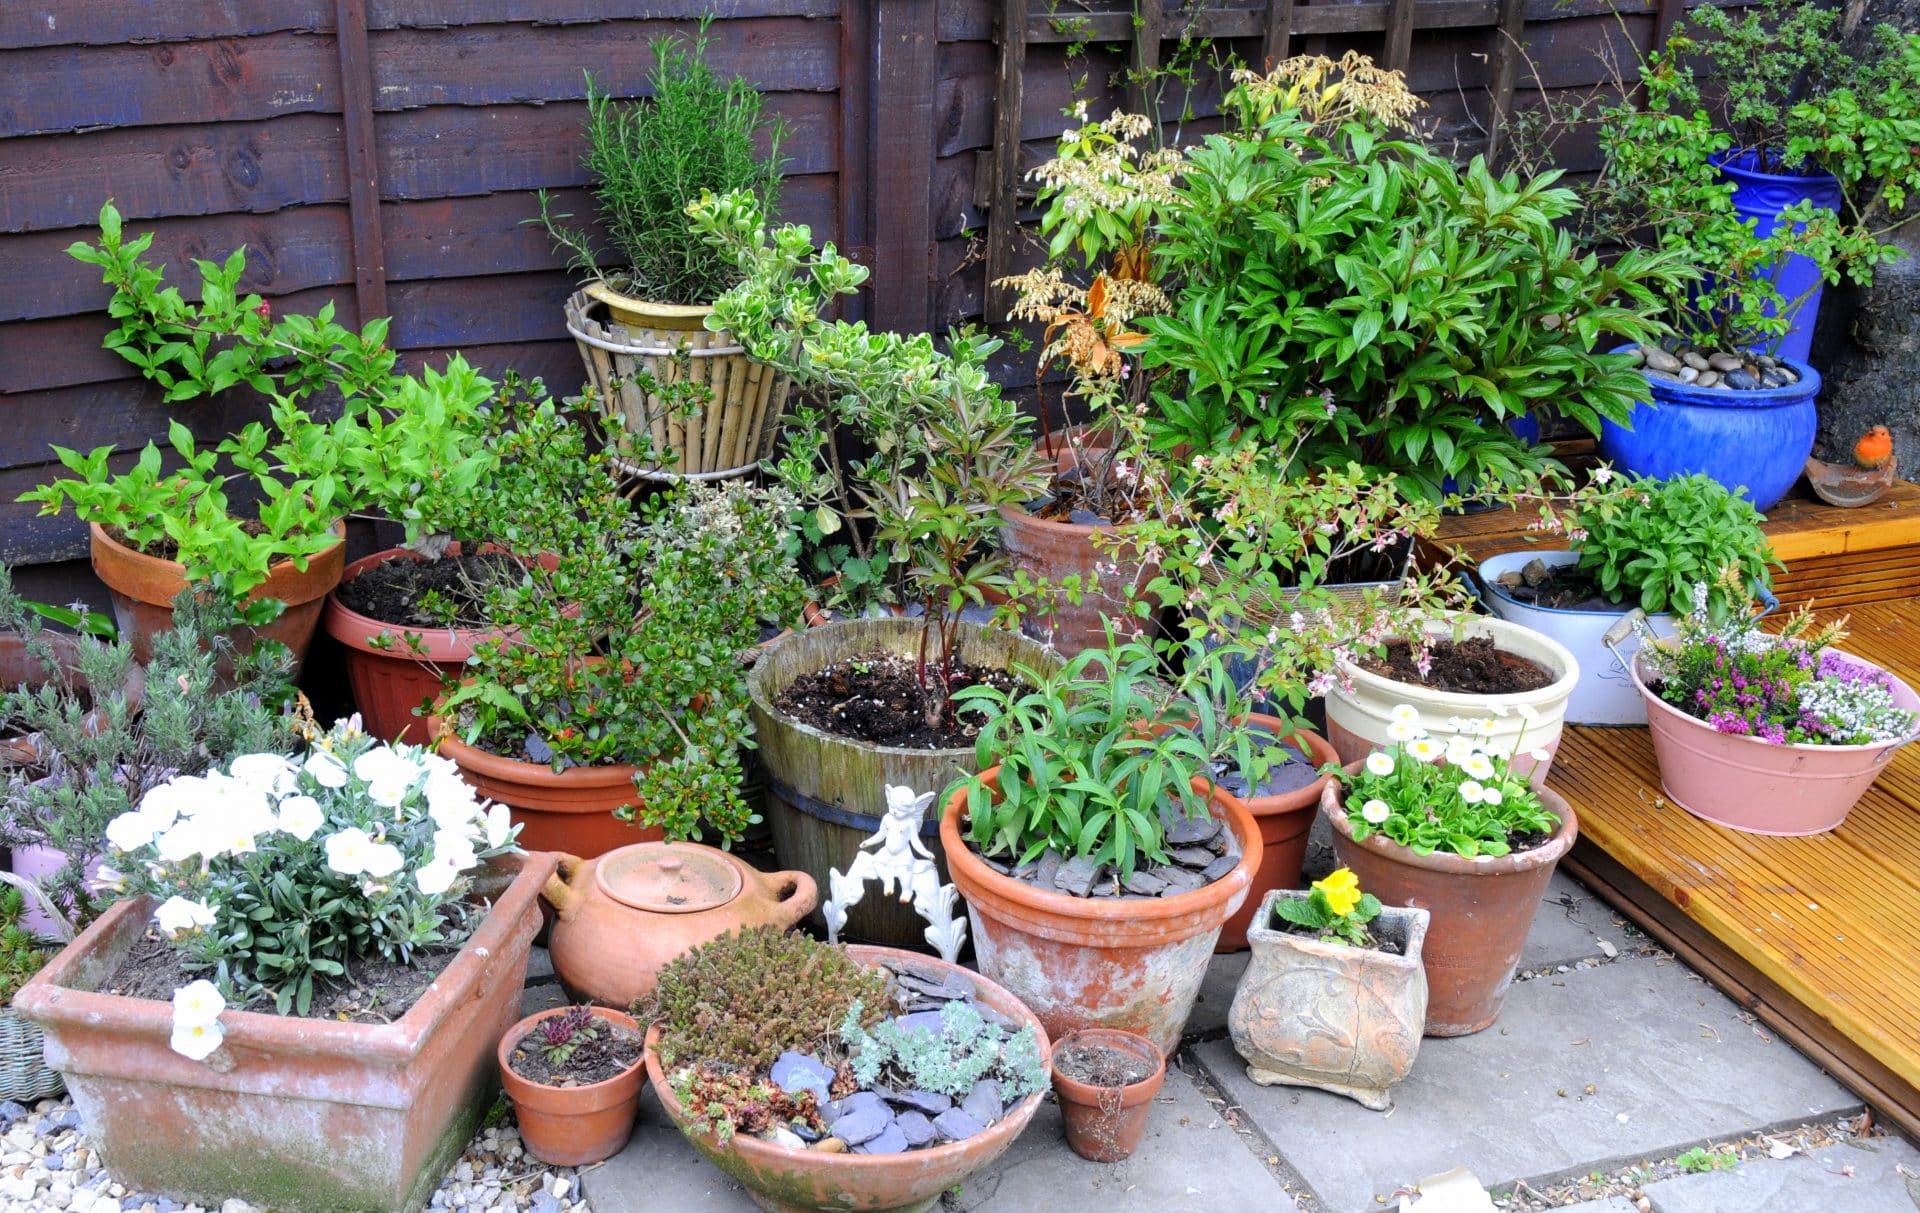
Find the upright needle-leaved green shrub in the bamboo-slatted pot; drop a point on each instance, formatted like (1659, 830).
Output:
(654, 156)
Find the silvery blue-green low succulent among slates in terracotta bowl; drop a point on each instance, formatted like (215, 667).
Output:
(948, 1062)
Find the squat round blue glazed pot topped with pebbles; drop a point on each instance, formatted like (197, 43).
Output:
(1754, 440)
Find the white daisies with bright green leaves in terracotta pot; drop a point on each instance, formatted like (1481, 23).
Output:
(1445, 796)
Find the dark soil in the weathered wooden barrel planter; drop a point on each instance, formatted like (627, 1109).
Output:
(878, 700)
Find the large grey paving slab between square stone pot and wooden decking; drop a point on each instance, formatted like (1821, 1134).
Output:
(1668, 1058)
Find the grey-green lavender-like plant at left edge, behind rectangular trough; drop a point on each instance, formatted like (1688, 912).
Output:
(101, 757)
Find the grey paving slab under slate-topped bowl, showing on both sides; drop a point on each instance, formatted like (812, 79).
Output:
(1189, 1160)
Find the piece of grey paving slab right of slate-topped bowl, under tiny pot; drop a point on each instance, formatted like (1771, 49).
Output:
(1189, 1160)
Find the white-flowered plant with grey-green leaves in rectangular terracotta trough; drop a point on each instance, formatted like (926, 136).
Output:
(279, 872)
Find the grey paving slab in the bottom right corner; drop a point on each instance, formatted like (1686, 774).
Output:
(1842, 1179)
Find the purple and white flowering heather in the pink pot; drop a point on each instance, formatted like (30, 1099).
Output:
(1785, 688)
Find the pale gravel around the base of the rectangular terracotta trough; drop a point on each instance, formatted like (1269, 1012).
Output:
(49, 1164)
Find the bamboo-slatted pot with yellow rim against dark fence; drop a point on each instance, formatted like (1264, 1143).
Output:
(627, 341)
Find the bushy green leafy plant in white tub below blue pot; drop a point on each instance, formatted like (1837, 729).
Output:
(1654, 540)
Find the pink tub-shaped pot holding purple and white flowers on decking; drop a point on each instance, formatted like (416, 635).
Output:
(1758, 788)
